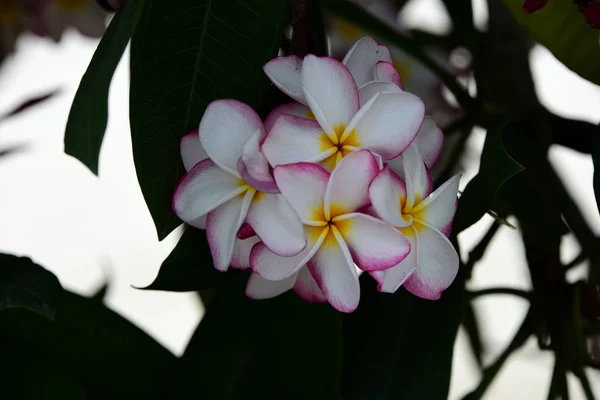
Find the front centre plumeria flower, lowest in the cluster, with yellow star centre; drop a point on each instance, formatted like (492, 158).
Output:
(338, 235)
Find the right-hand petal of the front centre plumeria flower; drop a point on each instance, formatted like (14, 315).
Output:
(374, 244)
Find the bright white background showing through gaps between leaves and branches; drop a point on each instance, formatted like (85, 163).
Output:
(87, 230)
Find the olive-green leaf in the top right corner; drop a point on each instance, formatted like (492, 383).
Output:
(561, 27)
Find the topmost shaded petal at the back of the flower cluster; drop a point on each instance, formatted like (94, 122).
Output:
(362, 58)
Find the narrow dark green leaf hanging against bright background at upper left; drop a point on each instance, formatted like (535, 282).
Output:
(89, 111)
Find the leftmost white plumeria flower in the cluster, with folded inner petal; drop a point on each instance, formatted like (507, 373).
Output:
(228, 187)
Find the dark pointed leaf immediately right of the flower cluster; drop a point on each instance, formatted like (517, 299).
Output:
(496, 168)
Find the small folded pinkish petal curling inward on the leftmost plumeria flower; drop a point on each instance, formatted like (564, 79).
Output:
(254, 167)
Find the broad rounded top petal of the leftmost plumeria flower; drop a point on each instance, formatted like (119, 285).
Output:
(224, 130)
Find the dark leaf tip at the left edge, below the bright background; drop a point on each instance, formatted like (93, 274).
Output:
(24, 284)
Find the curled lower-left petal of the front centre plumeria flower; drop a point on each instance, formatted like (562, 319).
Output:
(273, 267)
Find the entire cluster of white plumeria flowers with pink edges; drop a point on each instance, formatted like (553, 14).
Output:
(335, 182)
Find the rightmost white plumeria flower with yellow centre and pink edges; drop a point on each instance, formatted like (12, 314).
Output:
(425, 218)
